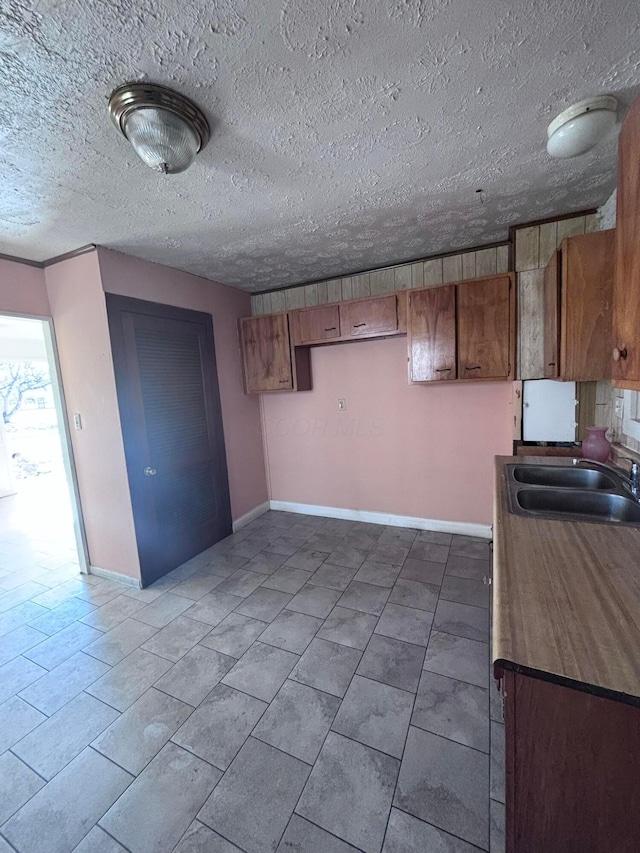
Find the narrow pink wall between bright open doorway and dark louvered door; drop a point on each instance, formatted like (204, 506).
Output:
(80, 320)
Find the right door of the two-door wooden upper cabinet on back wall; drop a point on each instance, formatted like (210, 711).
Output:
(484, 329)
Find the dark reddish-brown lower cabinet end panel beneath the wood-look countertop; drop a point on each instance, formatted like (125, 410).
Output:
(572, 769)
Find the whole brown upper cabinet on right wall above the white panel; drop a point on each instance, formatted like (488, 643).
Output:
(578, 294)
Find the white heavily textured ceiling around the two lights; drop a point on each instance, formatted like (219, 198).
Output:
(347, 134)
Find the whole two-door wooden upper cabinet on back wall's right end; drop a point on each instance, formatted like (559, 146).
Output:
(462, 331)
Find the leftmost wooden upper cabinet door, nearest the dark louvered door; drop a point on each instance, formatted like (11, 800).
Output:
(266, 353)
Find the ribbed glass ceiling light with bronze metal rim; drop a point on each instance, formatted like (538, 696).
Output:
(166, 129)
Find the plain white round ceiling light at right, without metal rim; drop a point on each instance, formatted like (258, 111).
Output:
(580, 127)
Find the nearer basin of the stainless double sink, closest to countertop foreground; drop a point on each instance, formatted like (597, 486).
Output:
(579, 505)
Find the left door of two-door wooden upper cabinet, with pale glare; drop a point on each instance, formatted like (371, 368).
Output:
(431, 327)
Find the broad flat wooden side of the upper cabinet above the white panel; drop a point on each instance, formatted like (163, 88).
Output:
(586, 306)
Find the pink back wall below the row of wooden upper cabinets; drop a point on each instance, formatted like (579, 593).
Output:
(400, 449)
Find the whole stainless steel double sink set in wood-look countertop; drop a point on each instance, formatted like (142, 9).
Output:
(570, 494)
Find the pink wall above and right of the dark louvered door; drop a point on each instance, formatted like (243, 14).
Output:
(129, 276)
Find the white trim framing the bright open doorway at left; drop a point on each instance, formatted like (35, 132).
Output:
(65, 435)
